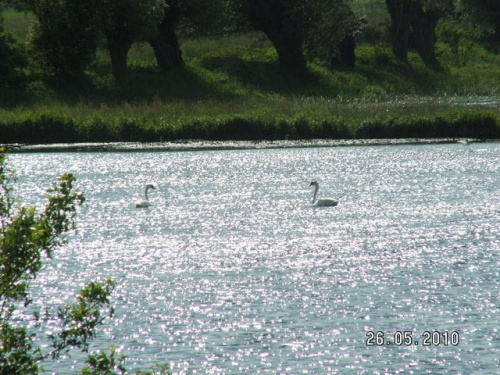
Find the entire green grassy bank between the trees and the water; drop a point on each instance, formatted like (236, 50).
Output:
(231, 89)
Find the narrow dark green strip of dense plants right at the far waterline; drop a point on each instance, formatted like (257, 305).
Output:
(55, 128)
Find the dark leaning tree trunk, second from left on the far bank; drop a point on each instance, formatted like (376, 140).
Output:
(166, 45)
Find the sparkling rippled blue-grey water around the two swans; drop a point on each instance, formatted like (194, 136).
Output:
(231, 271)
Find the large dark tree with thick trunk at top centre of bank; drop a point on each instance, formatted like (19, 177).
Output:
(323, 29)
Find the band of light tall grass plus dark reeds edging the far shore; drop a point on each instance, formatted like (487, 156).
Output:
(254, 120)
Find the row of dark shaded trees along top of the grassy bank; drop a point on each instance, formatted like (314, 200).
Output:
(67, 33)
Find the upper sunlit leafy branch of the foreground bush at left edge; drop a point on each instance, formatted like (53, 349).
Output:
(25, 235)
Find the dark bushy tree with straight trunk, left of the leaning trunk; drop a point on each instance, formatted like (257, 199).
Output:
(66, 33)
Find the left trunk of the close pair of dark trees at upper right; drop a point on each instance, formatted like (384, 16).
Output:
(400, 12)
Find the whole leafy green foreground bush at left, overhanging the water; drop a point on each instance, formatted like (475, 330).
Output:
(26, 238)
